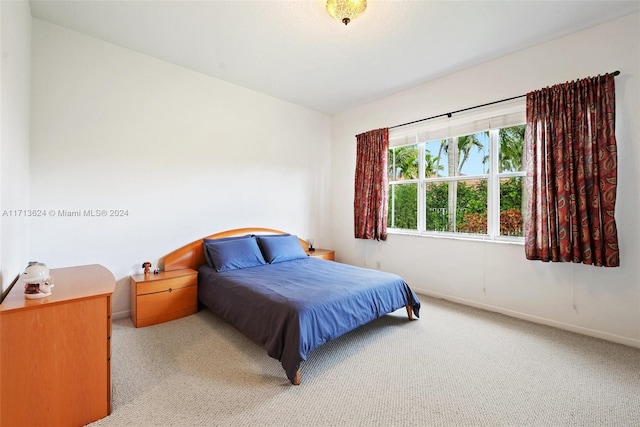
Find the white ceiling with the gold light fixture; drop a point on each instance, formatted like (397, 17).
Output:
(295, 51)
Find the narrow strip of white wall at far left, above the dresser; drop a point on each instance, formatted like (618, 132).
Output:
(14, 137)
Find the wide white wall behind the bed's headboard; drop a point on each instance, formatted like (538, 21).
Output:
(185, 154)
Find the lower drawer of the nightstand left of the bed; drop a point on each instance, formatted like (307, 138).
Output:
(169, 305)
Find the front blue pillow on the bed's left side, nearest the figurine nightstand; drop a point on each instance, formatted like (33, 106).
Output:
(234, 253)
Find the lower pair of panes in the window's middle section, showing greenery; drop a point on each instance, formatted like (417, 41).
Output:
(458, 206)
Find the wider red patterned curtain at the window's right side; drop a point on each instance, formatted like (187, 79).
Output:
(572, 173)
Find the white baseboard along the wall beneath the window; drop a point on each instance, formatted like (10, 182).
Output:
(541, 320)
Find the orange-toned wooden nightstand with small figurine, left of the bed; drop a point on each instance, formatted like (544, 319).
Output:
(169, 295)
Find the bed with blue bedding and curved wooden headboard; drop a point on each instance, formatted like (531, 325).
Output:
(262, 281)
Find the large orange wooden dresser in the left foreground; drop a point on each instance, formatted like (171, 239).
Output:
(55, 356)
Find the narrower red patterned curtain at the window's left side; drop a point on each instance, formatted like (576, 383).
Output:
(371, 189)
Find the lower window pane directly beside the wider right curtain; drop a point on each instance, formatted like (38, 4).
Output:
(512, 206)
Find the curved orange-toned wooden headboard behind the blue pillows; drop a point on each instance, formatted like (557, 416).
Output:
(192, 254)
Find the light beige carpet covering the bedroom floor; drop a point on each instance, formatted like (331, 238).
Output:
(455, 366)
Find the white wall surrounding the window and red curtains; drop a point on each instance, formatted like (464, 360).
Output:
(497, 276)
